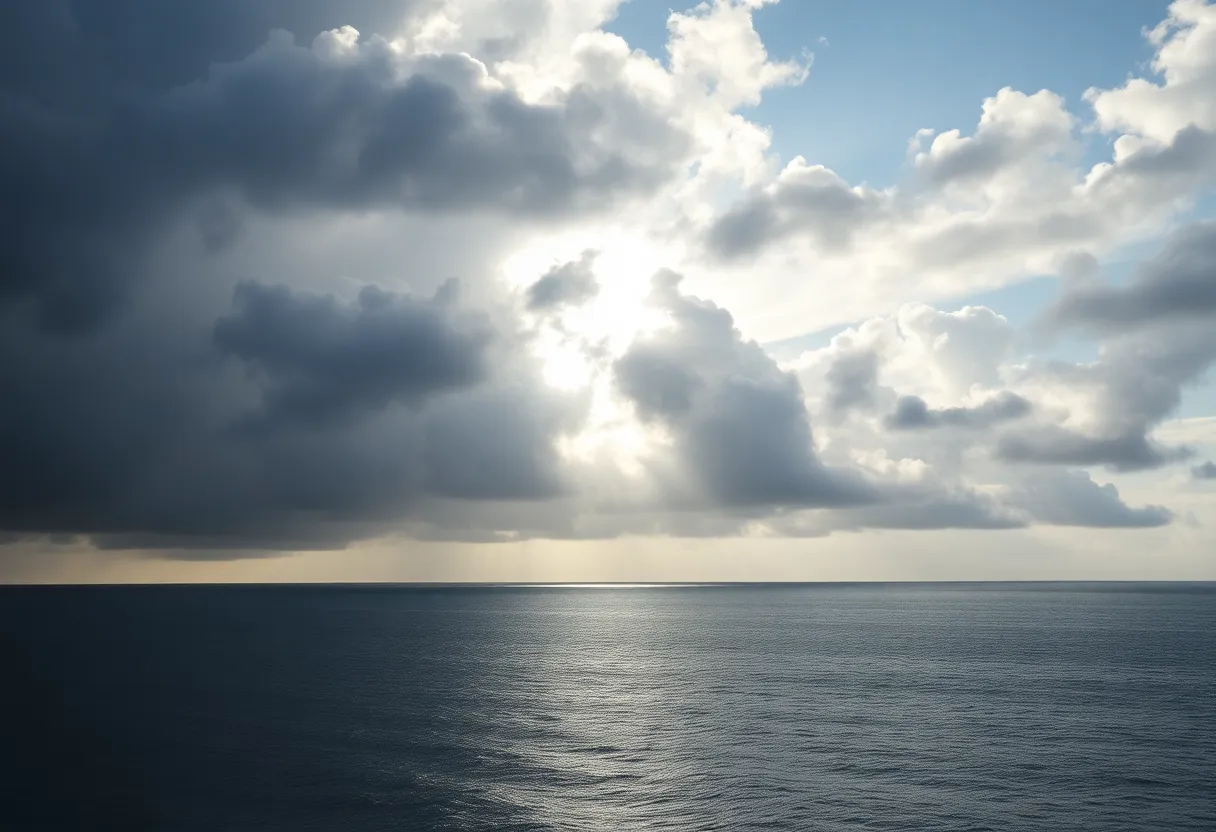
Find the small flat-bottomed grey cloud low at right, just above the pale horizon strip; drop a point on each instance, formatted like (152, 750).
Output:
(1072, 498)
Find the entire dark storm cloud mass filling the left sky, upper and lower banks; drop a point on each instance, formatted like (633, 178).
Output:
(289, 419)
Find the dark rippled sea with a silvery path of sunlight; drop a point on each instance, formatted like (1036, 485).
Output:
(703, 709)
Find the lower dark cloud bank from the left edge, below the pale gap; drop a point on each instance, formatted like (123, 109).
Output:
(365, 413)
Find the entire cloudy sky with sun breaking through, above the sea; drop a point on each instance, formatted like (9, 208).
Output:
(305, 290)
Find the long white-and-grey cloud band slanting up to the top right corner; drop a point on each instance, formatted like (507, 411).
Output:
(970, 213)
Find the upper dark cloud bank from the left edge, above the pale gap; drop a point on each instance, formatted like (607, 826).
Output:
(95, 160)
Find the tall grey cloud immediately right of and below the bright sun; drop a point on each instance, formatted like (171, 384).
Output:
(740, 424)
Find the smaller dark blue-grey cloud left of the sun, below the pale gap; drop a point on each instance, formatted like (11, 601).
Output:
(324, 358)
